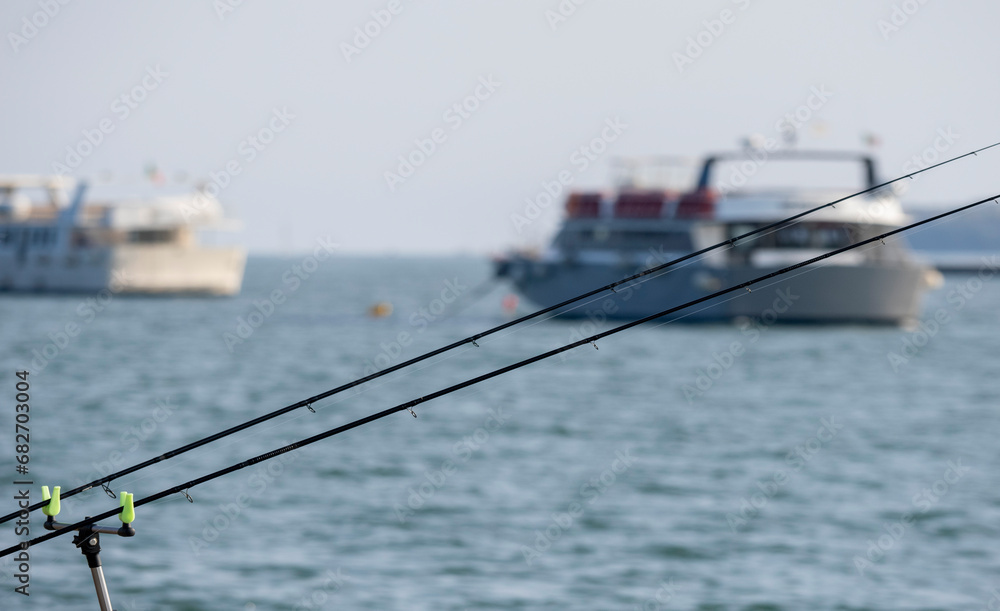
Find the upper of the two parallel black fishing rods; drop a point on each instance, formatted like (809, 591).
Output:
(472, 339)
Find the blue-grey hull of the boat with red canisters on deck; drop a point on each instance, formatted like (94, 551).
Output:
(860, 294)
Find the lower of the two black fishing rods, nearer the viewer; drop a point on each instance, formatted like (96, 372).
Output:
(409, 405)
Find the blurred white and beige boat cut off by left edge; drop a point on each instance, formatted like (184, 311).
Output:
(50, 242)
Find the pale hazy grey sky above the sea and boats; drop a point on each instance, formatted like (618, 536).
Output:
(200, 78)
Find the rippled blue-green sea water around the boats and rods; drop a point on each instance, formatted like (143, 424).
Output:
(814, 470)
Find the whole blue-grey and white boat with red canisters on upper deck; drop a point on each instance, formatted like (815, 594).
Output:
(607, 236)
